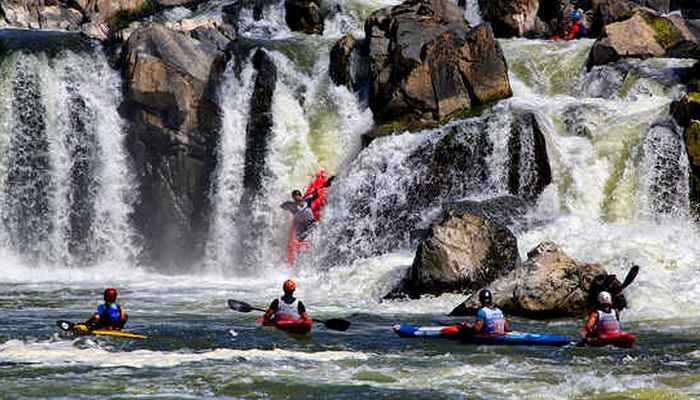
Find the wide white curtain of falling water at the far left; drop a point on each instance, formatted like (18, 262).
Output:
(67, 186)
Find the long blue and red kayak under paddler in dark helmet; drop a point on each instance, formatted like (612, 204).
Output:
(453, 332)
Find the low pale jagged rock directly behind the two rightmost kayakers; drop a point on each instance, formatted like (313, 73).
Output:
(550, 284)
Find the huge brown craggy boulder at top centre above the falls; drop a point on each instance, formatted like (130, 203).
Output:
(425, 63)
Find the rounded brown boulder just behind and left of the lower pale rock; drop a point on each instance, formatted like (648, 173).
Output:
(463, 252)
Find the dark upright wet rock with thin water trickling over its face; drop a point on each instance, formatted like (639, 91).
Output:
(529, 171)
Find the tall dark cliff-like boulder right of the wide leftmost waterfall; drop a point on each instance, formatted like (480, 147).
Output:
(170, 82)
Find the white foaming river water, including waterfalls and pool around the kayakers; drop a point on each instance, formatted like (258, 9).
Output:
(618, 196)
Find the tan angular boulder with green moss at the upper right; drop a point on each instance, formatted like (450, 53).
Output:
(645, 35)
